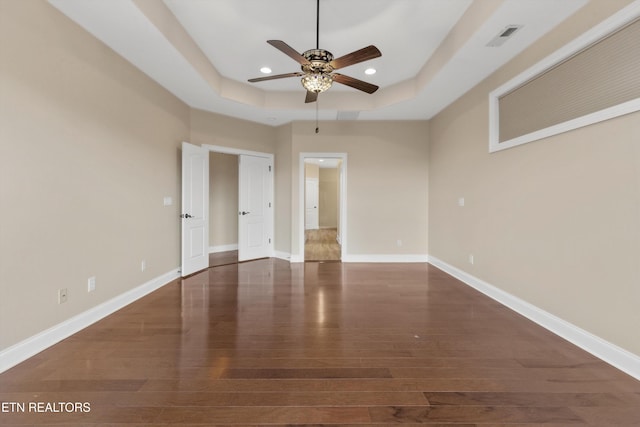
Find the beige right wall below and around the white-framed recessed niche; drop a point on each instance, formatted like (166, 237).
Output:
(554, 222)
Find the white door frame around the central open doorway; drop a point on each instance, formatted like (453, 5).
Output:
(343, 202)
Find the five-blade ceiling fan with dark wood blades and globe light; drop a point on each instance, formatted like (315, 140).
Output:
(318, 66)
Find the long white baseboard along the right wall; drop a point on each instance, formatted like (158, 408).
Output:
(608, 352)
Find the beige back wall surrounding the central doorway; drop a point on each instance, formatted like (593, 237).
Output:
(386, 182)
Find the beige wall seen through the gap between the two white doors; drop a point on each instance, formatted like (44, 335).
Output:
(223, 199)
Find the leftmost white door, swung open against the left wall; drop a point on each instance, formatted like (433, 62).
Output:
(195, 209)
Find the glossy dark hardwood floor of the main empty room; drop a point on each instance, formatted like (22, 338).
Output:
(273, 343)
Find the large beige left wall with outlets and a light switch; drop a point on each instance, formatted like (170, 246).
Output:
(89, 146)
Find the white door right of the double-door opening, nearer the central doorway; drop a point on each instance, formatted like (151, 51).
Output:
(255, 208)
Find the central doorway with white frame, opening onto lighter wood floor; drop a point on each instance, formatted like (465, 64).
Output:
(323, 201)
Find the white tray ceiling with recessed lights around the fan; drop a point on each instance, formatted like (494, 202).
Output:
(203, 51)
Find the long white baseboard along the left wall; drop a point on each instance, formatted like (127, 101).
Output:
(31, 346)
